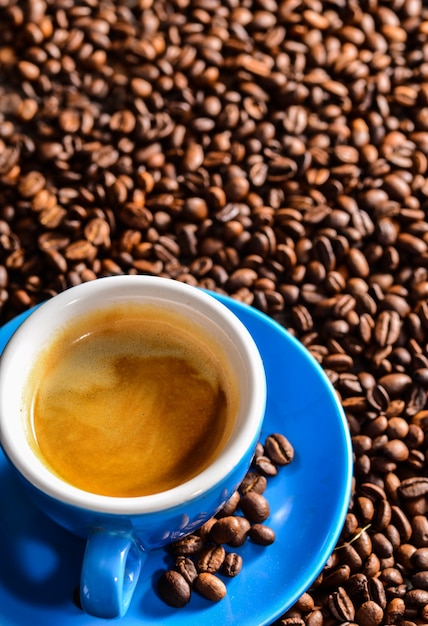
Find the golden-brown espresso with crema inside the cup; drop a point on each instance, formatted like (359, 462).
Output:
(130, 401)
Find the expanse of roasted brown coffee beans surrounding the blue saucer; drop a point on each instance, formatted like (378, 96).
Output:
(272, 150)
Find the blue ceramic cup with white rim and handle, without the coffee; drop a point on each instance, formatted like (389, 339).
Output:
(119, 530)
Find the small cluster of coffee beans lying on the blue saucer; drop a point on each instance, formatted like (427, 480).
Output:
(201, 558)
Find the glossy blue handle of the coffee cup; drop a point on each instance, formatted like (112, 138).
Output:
(111, 567)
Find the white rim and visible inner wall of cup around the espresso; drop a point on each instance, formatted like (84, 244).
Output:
(197, 306)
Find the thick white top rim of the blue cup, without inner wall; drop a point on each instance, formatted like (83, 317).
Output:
(13, 438)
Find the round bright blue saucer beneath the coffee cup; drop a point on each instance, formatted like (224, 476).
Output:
(40, 562)
